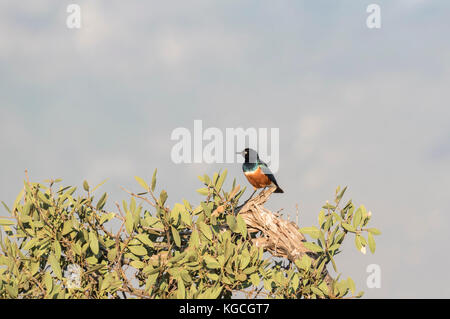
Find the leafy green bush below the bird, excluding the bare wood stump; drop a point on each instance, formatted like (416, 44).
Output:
(62, 245)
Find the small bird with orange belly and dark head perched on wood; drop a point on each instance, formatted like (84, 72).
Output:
(257, 172)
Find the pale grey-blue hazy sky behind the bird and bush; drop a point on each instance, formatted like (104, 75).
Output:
(367, 108)
